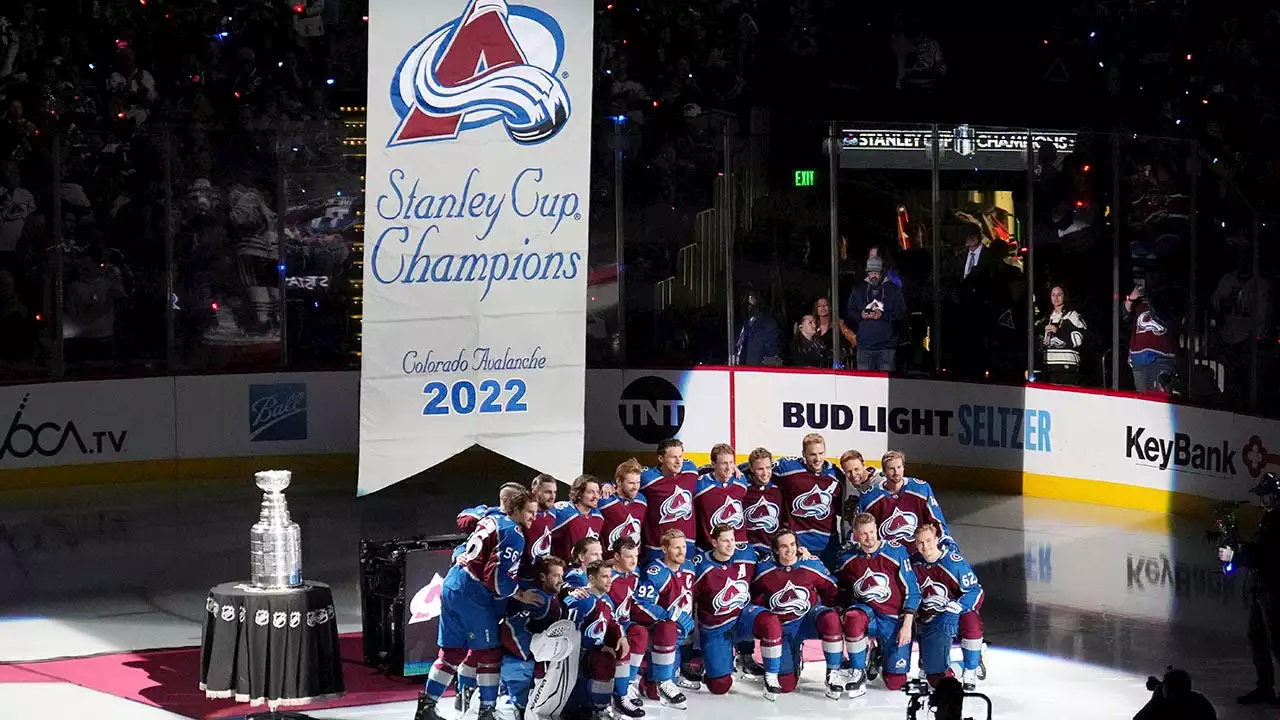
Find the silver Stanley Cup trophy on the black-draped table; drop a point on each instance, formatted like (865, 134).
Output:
(276, 543)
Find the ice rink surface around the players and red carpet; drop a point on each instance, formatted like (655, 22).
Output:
(1084, 601)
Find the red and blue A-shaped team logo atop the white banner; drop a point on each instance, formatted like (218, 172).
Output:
(495, 63)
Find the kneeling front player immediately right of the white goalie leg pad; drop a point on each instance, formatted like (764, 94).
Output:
(593, 614)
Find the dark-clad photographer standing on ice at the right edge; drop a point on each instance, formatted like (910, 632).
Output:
(1264, 564)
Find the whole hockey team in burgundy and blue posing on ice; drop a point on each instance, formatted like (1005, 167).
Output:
(673, 580)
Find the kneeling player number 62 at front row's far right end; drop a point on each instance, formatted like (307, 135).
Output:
(950, 599)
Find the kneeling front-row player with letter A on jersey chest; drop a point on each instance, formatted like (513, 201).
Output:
(723, 596)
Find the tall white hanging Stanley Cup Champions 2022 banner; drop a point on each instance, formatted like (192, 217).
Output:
(476, 235)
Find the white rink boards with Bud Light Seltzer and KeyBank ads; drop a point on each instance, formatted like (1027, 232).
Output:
(1089, 446)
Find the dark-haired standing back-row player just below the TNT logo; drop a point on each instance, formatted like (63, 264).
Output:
(670, 493)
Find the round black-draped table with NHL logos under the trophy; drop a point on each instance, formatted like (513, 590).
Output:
(271, 648)
